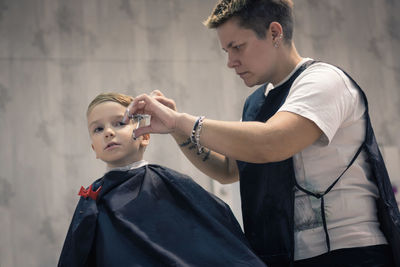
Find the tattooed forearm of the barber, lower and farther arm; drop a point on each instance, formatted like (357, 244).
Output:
(210, 163)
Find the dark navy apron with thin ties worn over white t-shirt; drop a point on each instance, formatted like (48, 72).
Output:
(267, 190)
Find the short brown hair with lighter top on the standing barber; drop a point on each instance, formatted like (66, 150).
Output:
(256, 15)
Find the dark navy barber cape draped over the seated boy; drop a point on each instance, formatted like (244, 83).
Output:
(154, 216)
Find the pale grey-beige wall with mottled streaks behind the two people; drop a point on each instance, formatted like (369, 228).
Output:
(55, 56)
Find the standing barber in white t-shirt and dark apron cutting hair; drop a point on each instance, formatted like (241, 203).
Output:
(312, 180)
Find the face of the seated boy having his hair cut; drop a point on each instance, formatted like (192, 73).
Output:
(111, 139)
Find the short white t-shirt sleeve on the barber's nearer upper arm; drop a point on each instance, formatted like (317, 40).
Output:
(321, 95)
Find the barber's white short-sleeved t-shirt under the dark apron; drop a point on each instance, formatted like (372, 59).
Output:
(325, 95)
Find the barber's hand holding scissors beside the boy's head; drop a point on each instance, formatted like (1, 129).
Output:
(161, 109)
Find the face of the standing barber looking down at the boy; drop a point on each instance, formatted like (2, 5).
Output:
(252, 58)
